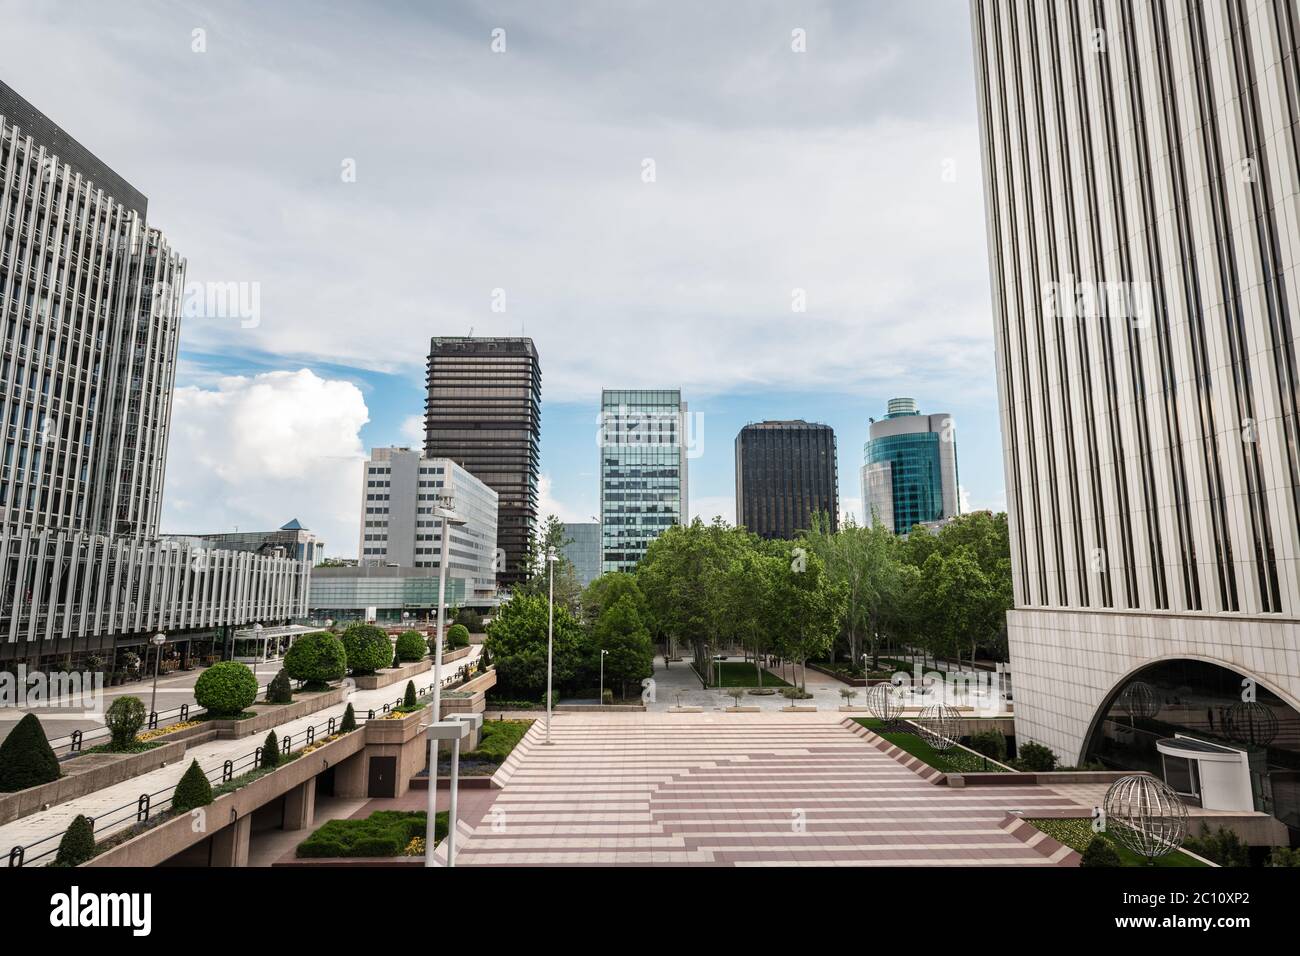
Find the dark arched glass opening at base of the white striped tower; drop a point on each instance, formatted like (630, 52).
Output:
(1199, 700)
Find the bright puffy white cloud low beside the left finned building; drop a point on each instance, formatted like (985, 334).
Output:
(255, 452)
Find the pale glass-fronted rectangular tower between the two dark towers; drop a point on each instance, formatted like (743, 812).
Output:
(644, 439)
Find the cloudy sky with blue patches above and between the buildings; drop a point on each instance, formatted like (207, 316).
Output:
(775, 207)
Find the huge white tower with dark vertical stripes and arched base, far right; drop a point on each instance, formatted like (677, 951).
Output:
(1142, 165)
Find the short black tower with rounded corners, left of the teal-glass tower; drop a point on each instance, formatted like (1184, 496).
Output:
(786, 473)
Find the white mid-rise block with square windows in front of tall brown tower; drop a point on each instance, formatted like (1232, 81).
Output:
(401, 496)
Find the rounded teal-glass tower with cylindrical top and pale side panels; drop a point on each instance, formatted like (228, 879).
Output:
(909, 474)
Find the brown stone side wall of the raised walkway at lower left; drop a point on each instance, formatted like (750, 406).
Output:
(177, 834)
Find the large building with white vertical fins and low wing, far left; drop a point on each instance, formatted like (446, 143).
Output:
(90, 299)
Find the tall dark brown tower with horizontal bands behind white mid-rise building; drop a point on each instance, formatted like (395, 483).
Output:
(484, 413)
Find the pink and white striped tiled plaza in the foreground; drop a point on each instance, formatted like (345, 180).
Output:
(740, 790)
